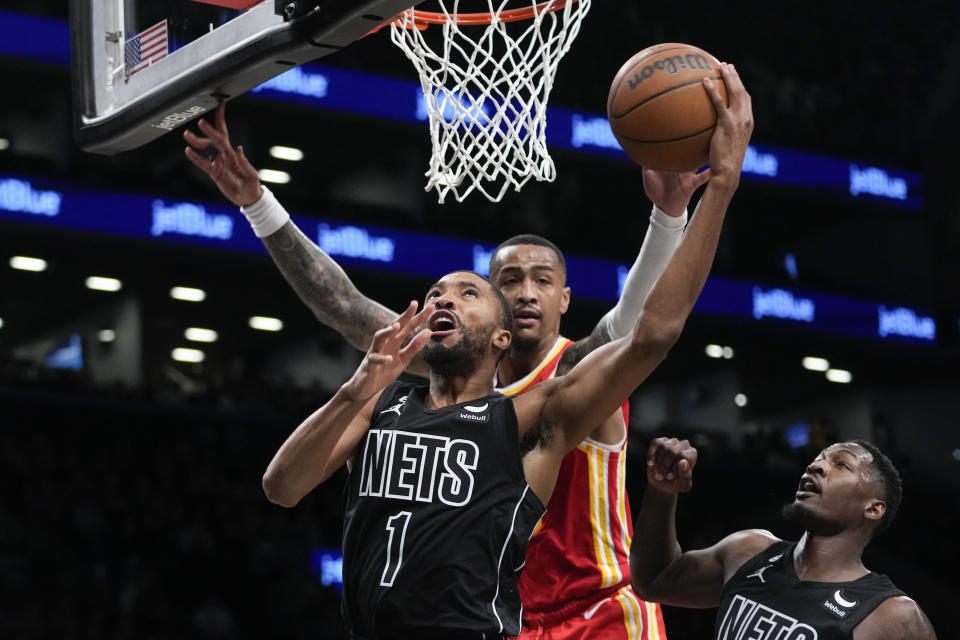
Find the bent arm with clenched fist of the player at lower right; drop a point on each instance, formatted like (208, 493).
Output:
(659, 569)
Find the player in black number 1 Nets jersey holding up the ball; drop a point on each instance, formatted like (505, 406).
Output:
(448, 481)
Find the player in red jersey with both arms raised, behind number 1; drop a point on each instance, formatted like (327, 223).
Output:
(576, 581)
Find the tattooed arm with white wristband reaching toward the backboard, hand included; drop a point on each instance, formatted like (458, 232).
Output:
(315, 277)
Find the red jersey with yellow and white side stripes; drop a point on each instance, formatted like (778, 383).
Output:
(579, 553)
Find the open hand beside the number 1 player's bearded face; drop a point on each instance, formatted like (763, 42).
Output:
(388, 357)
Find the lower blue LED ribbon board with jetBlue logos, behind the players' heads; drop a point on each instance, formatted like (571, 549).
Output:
(48, 202)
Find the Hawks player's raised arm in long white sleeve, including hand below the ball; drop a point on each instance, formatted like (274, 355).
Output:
(670, 193)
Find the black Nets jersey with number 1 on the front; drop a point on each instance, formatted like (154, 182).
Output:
(437, 520)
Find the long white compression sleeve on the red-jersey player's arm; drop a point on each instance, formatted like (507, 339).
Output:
(662, 239)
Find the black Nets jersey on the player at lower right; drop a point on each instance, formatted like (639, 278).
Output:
(765, 599)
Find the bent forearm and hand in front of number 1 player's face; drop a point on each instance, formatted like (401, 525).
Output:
(324, 441)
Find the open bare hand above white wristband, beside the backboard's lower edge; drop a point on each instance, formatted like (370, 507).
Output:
(229, 169)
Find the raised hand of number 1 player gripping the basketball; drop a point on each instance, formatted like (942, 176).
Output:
(734, 126)
